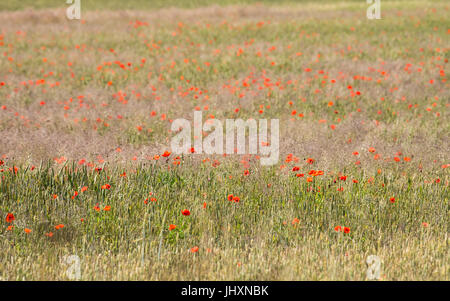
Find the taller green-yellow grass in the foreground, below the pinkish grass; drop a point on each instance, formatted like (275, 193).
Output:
(377, 226)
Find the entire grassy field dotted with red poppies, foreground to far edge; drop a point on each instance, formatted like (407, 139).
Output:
(86, 108)
